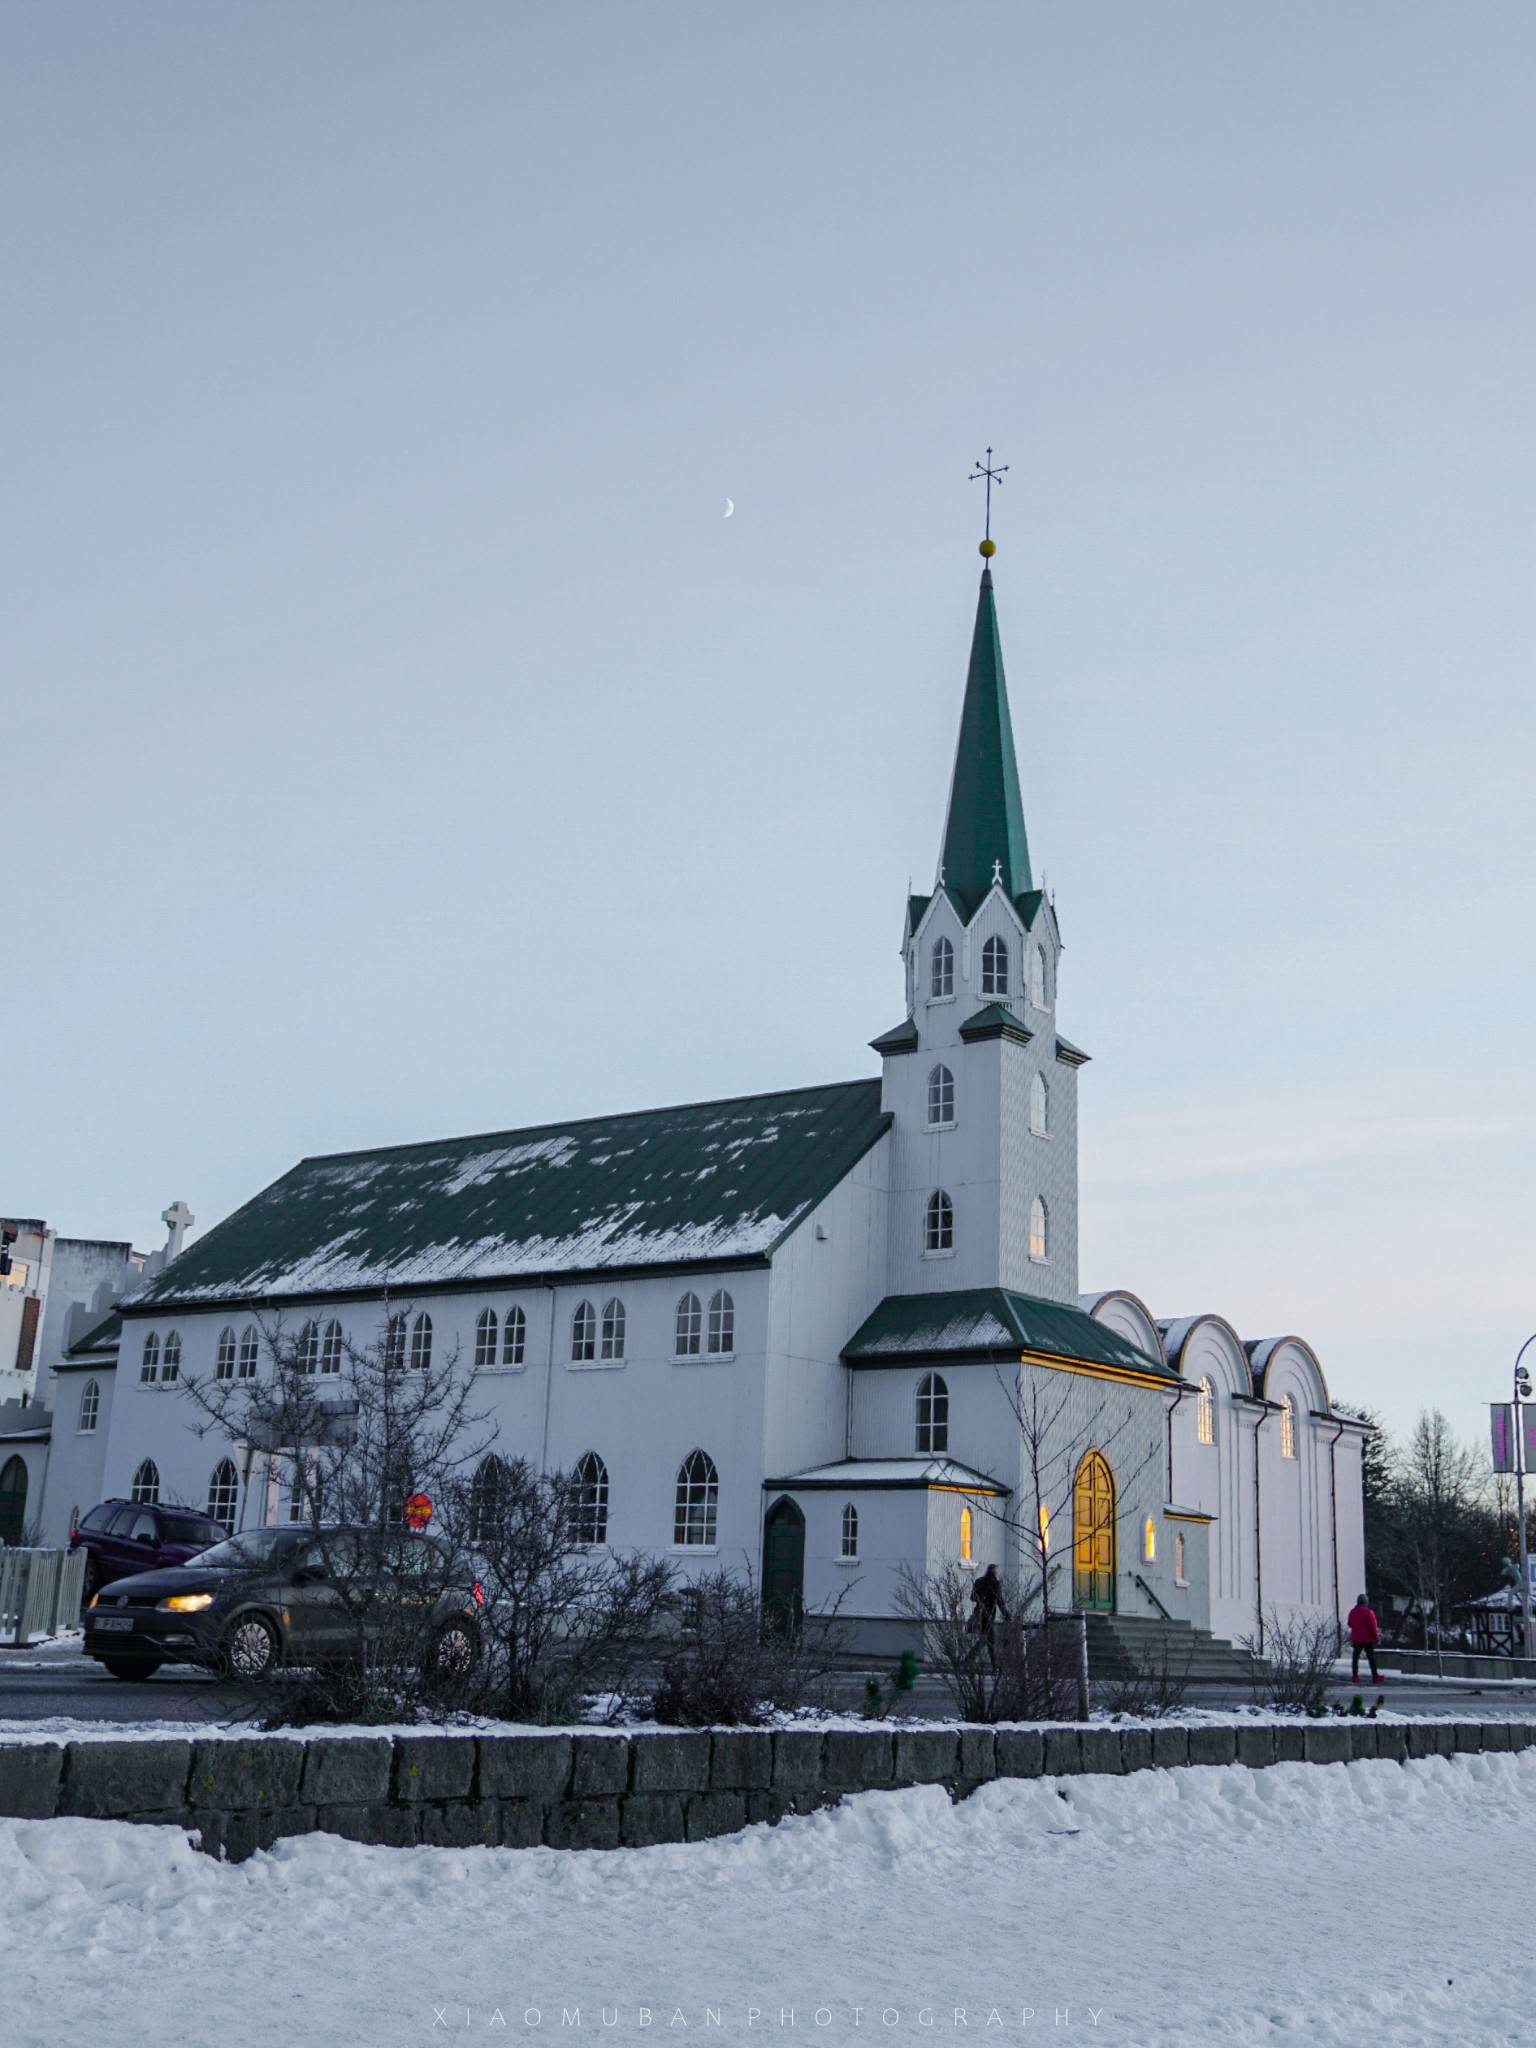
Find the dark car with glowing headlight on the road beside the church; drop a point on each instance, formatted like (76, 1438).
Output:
(296, 1596)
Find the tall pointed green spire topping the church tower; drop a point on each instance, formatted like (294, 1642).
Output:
(984, 833)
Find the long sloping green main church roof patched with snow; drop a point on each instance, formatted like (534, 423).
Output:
(697, 1183)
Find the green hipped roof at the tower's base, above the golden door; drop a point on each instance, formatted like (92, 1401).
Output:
(992, 1324)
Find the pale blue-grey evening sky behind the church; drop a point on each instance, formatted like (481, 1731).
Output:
(398, 742)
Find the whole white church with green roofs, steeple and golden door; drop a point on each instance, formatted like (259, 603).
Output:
(828, 1334)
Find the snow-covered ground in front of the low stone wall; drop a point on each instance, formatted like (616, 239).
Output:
(1168, 1910)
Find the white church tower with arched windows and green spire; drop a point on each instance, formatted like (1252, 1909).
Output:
(982, 1086)
